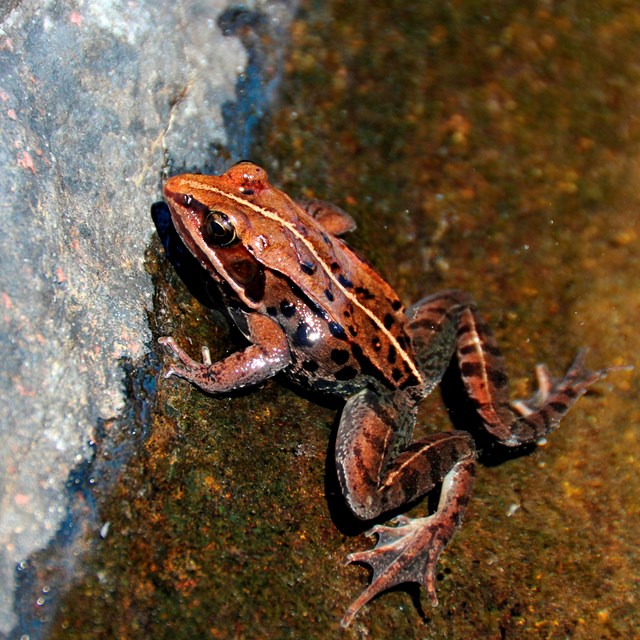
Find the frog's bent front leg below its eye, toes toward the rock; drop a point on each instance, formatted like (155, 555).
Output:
(268, 354)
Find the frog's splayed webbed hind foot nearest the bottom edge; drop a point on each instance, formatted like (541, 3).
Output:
(407, 552)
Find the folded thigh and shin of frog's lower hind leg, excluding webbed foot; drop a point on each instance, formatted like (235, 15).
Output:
(372, 481)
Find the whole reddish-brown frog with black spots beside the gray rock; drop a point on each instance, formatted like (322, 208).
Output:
(313, 309)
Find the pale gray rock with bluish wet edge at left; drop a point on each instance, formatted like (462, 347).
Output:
(93, 100)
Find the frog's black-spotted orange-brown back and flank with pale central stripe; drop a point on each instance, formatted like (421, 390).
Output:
(362, 324)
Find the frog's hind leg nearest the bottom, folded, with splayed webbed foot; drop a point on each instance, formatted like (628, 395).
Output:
(376, 477)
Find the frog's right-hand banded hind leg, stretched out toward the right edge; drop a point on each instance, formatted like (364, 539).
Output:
(484, 375)
